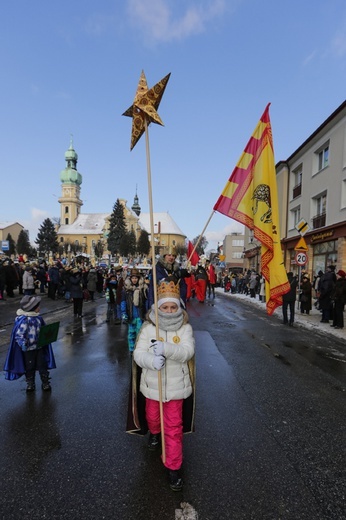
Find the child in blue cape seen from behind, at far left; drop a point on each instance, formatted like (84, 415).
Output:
(24, 355)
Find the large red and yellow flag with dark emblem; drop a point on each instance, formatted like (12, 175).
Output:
(250, 197)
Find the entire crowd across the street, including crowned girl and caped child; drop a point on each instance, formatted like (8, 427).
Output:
(160, 339)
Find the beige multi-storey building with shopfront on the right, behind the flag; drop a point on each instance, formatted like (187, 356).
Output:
(312, 193)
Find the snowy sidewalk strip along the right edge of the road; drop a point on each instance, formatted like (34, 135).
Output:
(311, 321)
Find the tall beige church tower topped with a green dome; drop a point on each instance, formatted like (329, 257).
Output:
(70, 183)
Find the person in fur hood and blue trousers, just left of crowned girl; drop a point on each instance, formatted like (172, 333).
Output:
(133, 305)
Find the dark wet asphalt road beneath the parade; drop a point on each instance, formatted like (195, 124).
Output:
(270, 425)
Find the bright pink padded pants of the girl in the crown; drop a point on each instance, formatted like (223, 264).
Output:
(173, 425)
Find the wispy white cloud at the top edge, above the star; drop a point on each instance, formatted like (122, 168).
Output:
(159, 21)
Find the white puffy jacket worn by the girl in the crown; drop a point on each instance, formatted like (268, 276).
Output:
(176, 383)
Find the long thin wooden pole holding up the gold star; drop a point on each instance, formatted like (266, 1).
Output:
(154, 277)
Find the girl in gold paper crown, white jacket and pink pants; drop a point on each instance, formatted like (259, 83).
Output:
(170, 354)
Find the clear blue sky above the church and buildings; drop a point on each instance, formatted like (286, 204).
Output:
(73, 68)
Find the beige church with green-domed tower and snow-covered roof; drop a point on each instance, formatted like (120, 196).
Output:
(86, 231)
